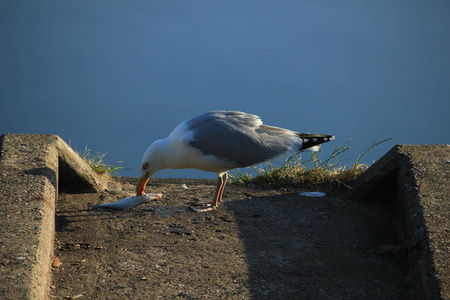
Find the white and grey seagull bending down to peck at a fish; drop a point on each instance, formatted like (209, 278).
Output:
(219, 141)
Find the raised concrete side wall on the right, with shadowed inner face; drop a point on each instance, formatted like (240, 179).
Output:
(418, 179)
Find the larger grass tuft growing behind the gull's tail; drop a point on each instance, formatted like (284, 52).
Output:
(312, 171)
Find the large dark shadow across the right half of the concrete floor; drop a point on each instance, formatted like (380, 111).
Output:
(321, 248)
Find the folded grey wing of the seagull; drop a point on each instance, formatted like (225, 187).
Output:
(238, 137)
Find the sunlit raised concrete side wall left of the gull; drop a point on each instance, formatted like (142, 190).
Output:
(32, 170)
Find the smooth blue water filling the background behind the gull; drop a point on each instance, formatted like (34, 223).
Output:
(116, 76)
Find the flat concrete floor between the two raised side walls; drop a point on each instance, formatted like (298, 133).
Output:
(263, 243)
